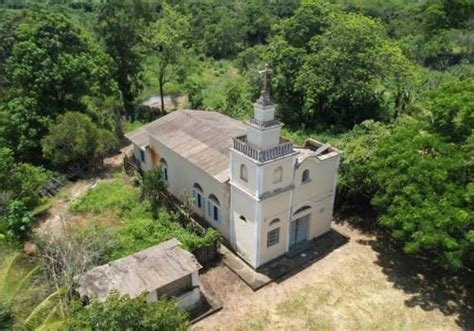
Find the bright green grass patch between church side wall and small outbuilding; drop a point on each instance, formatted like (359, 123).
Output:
(137, 229)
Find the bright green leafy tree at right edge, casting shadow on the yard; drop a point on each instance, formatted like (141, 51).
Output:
(422, 184)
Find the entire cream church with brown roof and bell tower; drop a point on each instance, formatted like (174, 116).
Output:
(266, 196)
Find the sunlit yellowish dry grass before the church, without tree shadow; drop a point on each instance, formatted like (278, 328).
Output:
(354, 295)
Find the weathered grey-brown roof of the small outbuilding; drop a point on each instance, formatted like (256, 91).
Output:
(147, 270)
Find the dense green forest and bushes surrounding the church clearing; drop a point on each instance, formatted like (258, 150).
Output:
(389, 82)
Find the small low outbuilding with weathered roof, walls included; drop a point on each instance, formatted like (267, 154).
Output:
(162, 270)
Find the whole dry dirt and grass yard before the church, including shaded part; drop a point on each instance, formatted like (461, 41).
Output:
(354, 287)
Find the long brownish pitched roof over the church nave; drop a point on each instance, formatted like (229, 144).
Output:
(201, 137)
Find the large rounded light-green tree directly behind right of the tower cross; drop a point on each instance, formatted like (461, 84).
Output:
(340, 67)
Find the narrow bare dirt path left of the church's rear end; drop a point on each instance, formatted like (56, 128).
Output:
(54, 221)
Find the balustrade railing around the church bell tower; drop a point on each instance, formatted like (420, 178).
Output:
(241, 144)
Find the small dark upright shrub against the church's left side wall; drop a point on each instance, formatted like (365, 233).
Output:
(152, 189)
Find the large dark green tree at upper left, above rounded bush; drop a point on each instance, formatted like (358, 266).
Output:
(53, 64)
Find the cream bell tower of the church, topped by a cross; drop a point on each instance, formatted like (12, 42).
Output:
(261, 178)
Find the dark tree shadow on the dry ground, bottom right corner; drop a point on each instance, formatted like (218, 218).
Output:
(431, 287)
